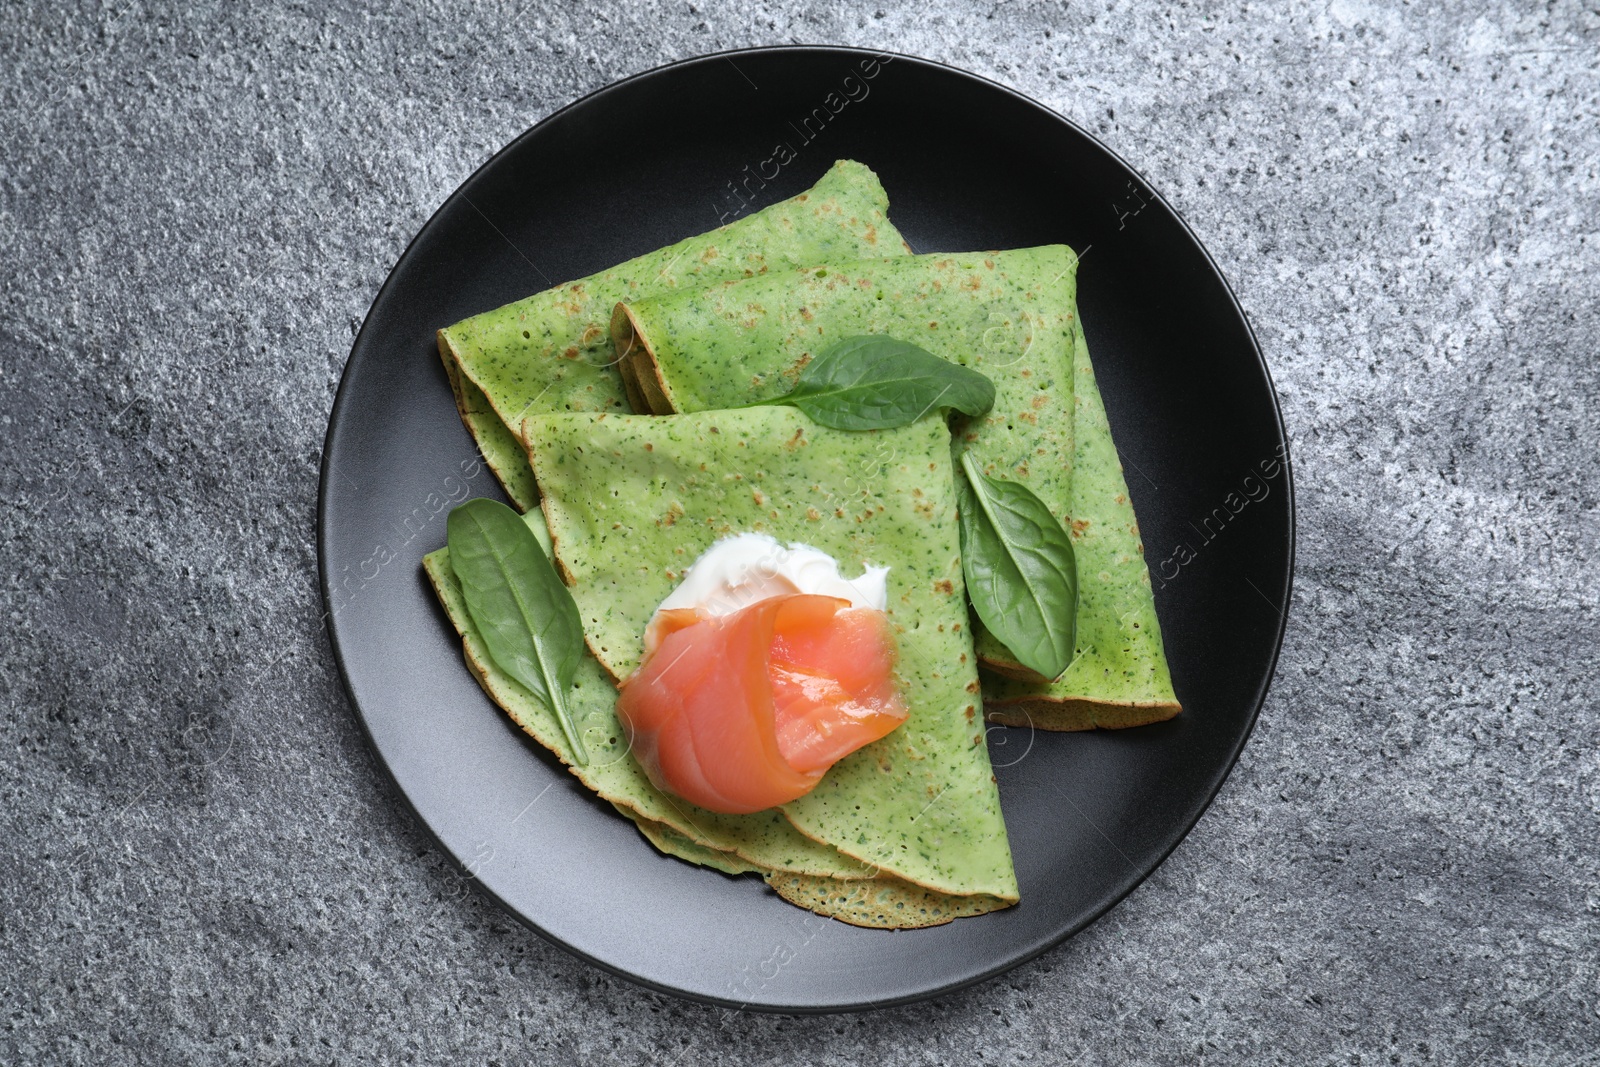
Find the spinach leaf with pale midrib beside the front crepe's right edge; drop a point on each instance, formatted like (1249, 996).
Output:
(1022, 570)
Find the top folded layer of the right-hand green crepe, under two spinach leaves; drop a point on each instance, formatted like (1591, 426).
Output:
(1009, 316)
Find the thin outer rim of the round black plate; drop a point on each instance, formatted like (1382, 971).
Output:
(1033, 953)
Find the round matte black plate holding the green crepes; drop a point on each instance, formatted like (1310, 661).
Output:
(967, 166)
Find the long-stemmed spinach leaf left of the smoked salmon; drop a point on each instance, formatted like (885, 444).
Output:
(519, 604)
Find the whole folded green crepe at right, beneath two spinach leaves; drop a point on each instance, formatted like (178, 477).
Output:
(1009, 314)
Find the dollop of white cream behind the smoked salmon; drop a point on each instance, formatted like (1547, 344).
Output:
(745, 569)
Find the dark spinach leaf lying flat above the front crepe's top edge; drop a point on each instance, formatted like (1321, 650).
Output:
(876, 383)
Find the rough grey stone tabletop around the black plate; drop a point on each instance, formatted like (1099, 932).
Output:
(202, 861)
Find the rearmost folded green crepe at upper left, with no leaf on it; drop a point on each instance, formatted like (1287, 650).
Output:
(551, 353)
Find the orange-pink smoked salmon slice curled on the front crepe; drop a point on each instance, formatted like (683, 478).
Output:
(748, 711)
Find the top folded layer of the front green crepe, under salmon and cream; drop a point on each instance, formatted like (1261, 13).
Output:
(633, 502)
